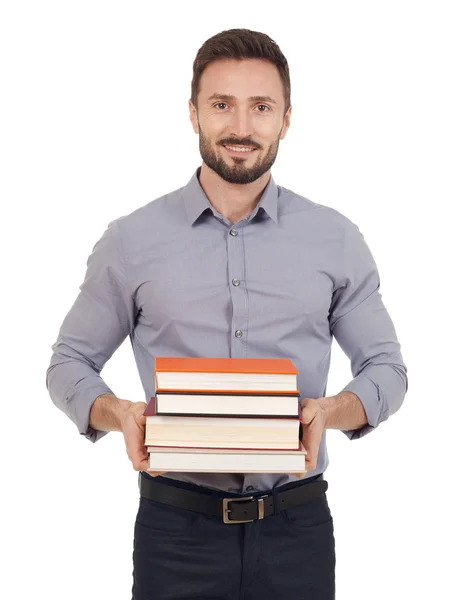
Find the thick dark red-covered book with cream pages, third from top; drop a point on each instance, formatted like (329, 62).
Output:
(221, 432)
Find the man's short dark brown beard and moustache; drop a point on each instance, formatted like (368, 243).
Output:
(238, 172)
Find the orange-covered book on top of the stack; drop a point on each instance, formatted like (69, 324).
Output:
(259, 375)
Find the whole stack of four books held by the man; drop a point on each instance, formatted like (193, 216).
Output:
(225, 415)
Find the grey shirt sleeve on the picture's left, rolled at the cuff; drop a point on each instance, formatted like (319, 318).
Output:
(100, 319)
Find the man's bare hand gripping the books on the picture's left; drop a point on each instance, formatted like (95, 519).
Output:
(133, 429)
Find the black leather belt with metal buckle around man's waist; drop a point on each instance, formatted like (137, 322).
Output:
(243, 509)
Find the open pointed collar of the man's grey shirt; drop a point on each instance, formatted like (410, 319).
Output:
(196, 202)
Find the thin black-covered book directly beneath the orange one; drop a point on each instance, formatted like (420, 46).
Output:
(234, 404)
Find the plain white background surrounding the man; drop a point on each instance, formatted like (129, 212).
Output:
(94, 123)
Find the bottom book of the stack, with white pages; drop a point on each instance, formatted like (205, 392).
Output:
(202, 460)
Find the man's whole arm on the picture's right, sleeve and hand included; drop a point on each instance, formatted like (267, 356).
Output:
(364, 330)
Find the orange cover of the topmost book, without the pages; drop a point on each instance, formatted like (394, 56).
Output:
(194, 364)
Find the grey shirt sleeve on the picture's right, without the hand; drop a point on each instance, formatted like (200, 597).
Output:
(364, 330)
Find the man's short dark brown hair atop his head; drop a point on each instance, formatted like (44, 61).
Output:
(239, 44)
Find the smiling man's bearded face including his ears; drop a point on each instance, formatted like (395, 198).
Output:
(240, 118)
